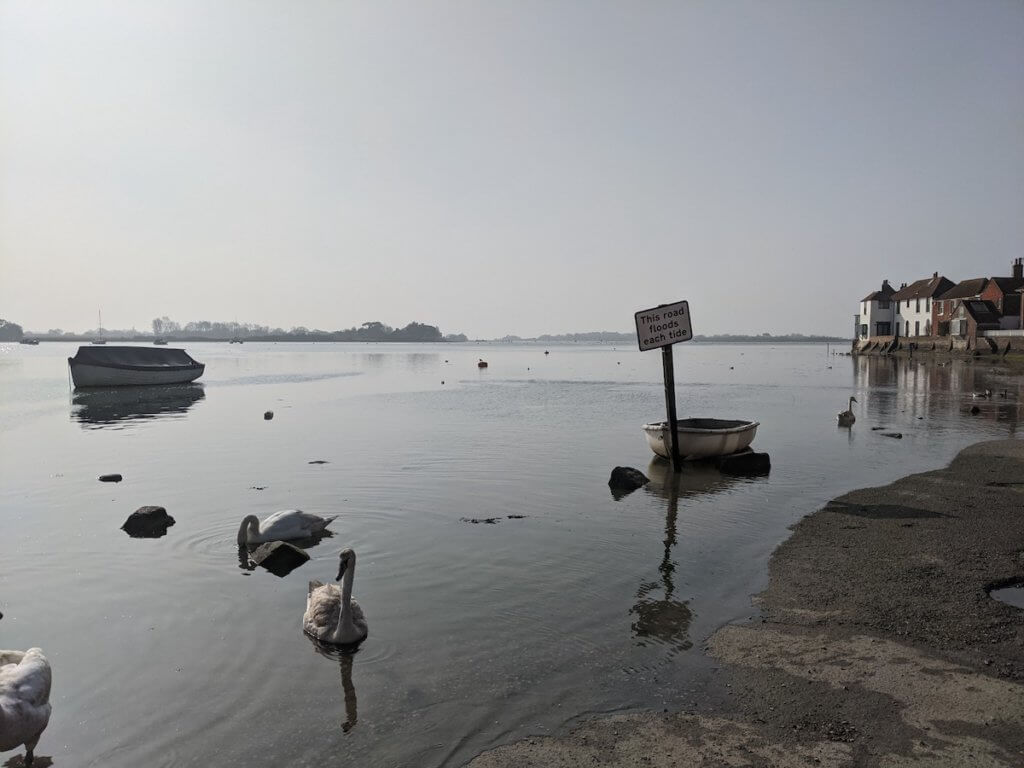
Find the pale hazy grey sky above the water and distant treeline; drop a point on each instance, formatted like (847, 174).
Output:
(497, 168)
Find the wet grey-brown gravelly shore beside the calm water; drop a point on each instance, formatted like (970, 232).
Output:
(878, 644)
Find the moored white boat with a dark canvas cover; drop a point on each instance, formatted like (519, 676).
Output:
(116, 367)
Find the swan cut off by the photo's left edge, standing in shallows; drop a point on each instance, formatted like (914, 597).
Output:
(25, 700)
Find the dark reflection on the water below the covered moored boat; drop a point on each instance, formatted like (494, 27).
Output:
(118, 407)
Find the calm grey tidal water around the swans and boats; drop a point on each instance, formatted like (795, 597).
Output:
(168, 653)
